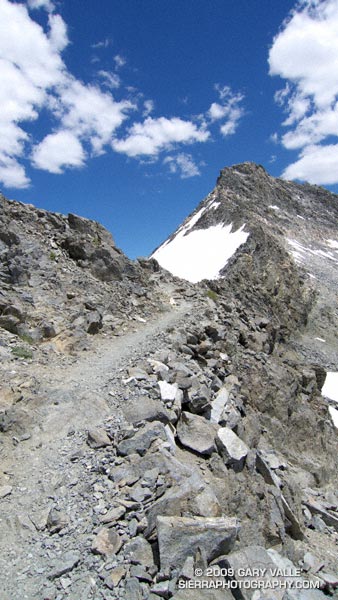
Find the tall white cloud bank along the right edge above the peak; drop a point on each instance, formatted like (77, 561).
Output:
(305, 54)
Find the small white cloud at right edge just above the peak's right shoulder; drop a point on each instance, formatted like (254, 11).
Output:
(317, 165)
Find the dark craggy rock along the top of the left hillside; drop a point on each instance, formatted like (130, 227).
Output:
(31, 233)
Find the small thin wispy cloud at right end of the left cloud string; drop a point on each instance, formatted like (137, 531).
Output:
(229, 109)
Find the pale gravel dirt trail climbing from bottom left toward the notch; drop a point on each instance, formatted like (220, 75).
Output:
(72, 398)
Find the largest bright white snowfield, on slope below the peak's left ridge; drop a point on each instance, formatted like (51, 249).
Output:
(201, 253)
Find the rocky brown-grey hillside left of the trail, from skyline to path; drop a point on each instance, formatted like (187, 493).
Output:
(62, 277)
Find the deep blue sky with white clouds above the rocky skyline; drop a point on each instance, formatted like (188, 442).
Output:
(125, 111)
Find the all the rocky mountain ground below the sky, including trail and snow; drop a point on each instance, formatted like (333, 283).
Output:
(166, 425)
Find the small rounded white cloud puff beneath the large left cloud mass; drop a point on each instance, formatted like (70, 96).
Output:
(58, 151)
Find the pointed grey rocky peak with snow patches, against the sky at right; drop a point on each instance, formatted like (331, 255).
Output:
(275, 222)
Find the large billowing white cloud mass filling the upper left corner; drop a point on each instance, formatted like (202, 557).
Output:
(34, 77)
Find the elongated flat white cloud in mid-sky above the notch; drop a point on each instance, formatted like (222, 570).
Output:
(154, 135)
